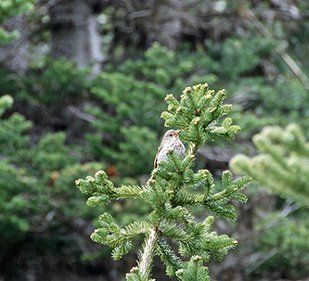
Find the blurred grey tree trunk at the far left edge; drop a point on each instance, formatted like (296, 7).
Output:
(13, 55)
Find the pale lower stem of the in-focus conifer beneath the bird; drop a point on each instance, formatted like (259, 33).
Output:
(146, 257)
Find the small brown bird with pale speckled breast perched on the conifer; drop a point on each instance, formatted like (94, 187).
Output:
(170, 142)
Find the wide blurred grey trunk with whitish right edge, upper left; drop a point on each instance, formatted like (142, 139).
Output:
(74, 31)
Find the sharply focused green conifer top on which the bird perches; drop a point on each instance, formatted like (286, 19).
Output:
(171, 230)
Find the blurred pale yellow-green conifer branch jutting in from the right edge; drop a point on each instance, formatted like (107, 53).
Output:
(283, 163)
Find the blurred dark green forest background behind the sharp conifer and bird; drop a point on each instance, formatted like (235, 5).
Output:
(88, 79)
